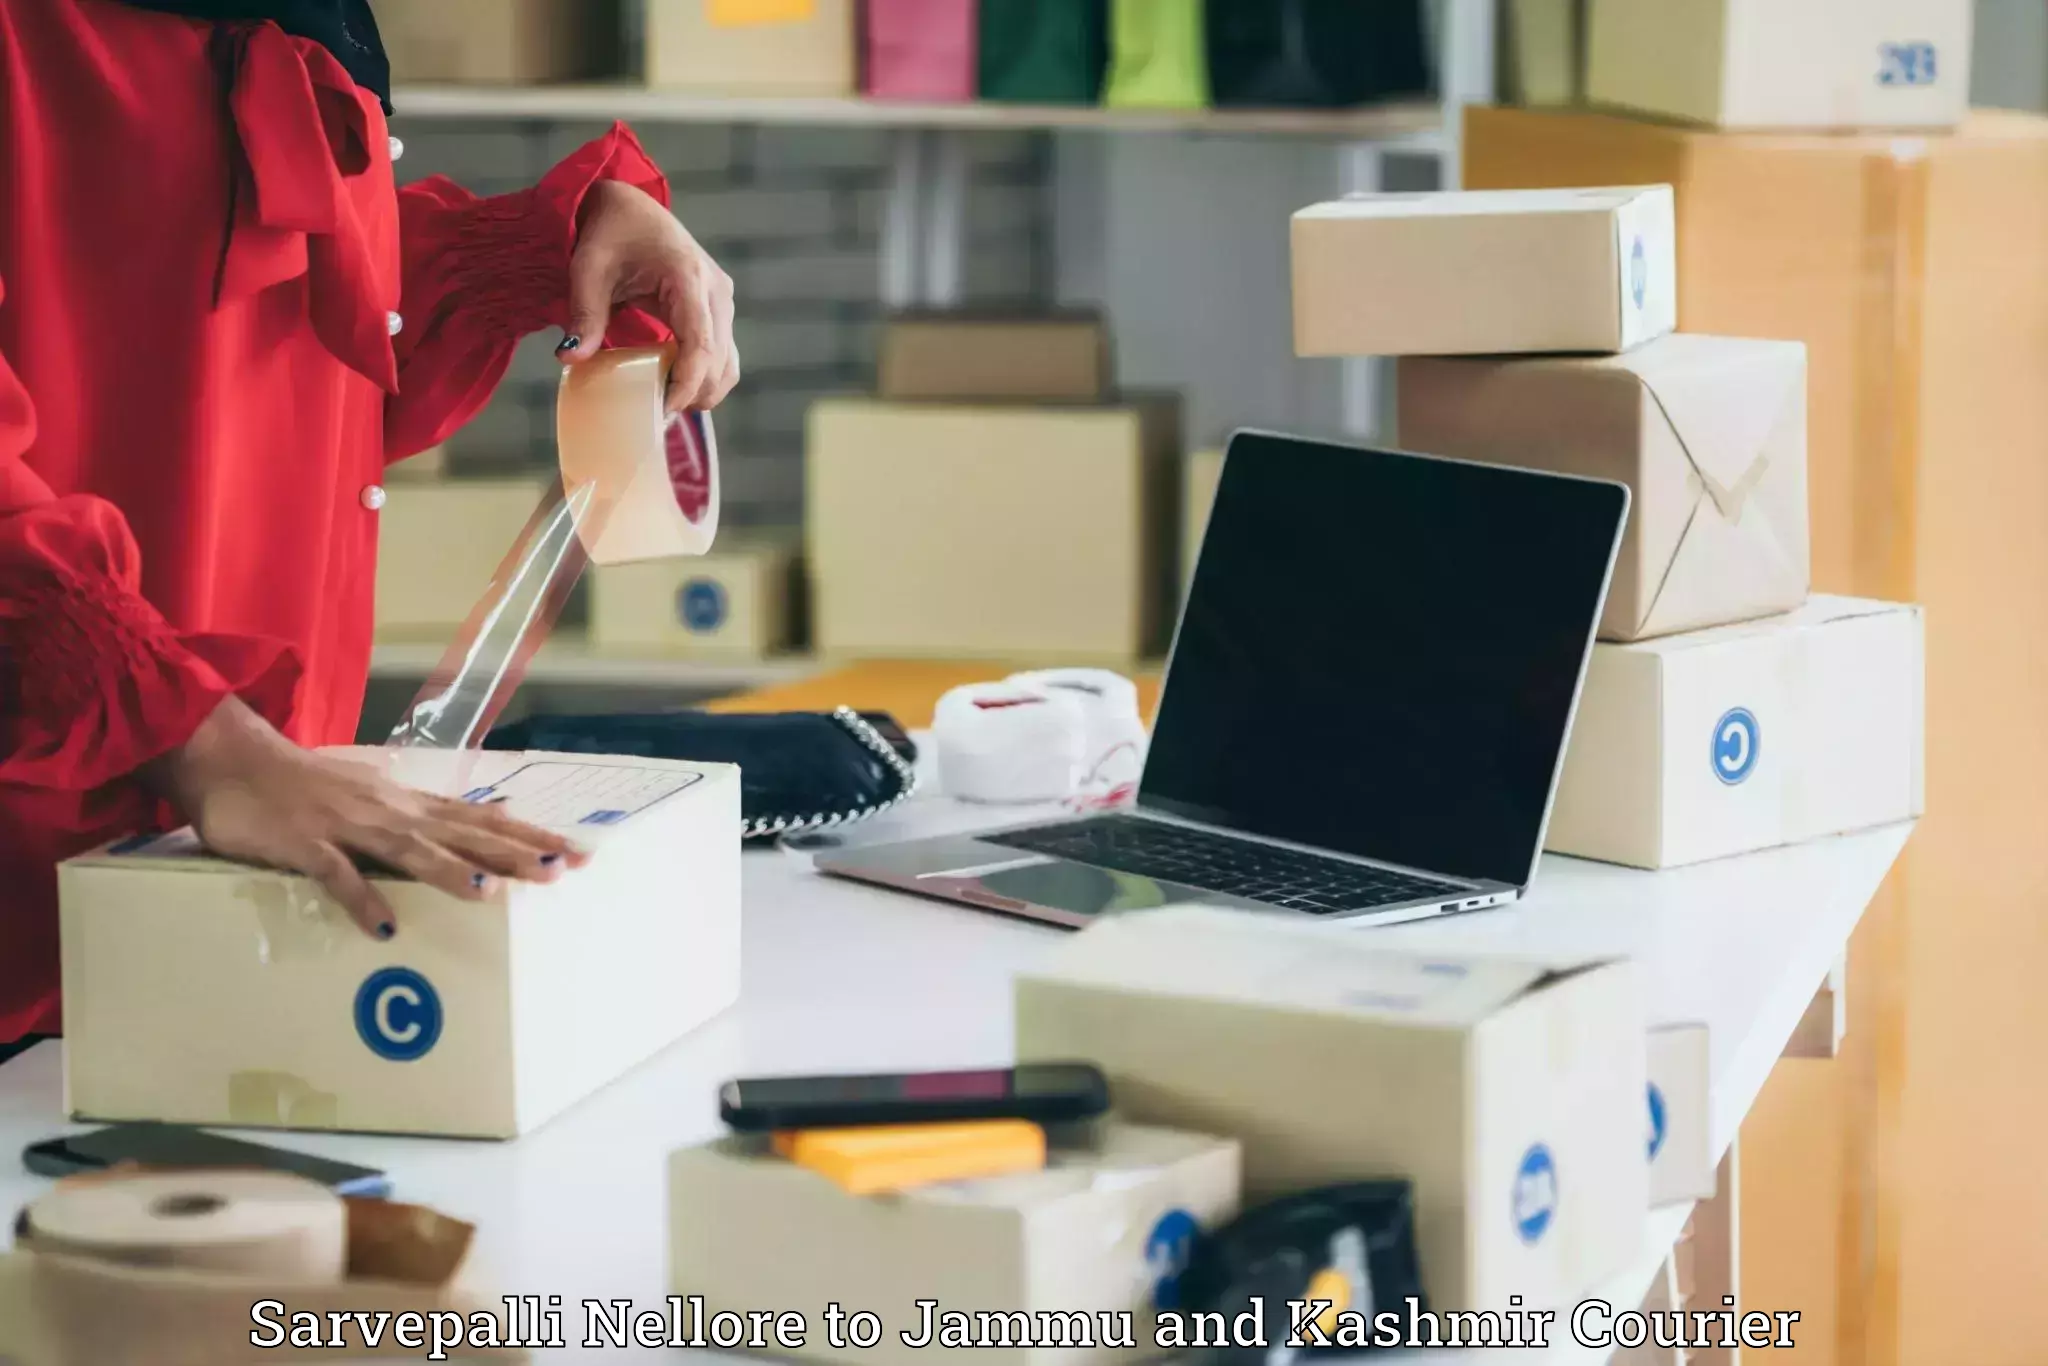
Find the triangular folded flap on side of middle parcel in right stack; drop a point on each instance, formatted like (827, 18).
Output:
(1725, 441)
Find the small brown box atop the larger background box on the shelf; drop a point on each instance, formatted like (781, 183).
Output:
(996, 359)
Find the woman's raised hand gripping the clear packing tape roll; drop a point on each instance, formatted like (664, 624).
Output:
(630, 251)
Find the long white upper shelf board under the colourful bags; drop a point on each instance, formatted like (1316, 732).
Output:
(1406, 122)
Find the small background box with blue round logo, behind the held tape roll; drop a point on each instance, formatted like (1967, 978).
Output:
(734, 603)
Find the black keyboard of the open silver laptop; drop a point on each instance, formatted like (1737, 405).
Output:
(1220, 863)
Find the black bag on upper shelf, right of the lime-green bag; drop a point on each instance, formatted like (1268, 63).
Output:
(1320, 54)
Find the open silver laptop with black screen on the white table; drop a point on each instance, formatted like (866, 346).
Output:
(1365, 710)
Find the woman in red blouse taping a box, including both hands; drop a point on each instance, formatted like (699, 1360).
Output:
(220, 321)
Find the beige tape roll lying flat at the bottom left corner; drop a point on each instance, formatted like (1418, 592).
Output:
(237, 1224)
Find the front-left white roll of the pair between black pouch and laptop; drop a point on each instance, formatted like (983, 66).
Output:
(1009, 744)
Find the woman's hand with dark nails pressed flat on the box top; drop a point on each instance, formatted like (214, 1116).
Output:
(255, 796)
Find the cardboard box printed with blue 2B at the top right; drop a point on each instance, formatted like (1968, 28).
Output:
(1785, 65)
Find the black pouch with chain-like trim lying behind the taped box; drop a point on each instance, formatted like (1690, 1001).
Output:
(798, 769)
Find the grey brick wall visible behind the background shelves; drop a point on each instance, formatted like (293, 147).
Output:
(794, 214)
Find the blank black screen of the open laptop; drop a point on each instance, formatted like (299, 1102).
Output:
(1381, 654)
